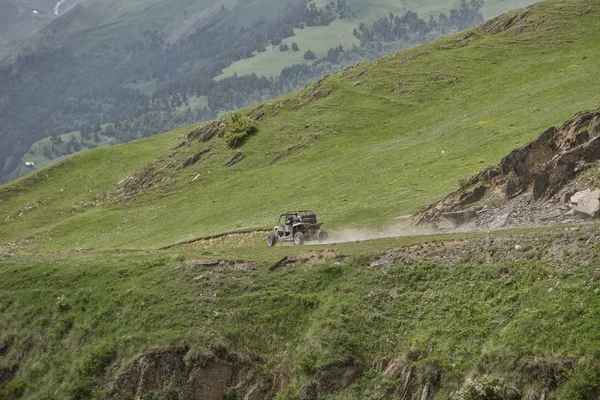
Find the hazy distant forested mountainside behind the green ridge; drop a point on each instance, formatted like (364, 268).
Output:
(123, 70)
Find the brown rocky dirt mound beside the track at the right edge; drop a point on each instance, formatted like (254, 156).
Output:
(543, 183)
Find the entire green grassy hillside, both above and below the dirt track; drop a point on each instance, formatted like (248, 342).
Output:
(508, 315)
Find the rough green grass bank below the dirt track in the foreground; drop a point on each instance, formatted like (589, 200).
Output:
(461, 318)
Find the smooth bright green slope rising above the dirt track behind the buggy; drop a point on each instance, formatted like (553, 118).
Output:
(362, 146)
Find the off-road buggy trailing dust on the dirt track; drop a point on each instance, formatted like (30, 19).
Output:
(297, 227)
